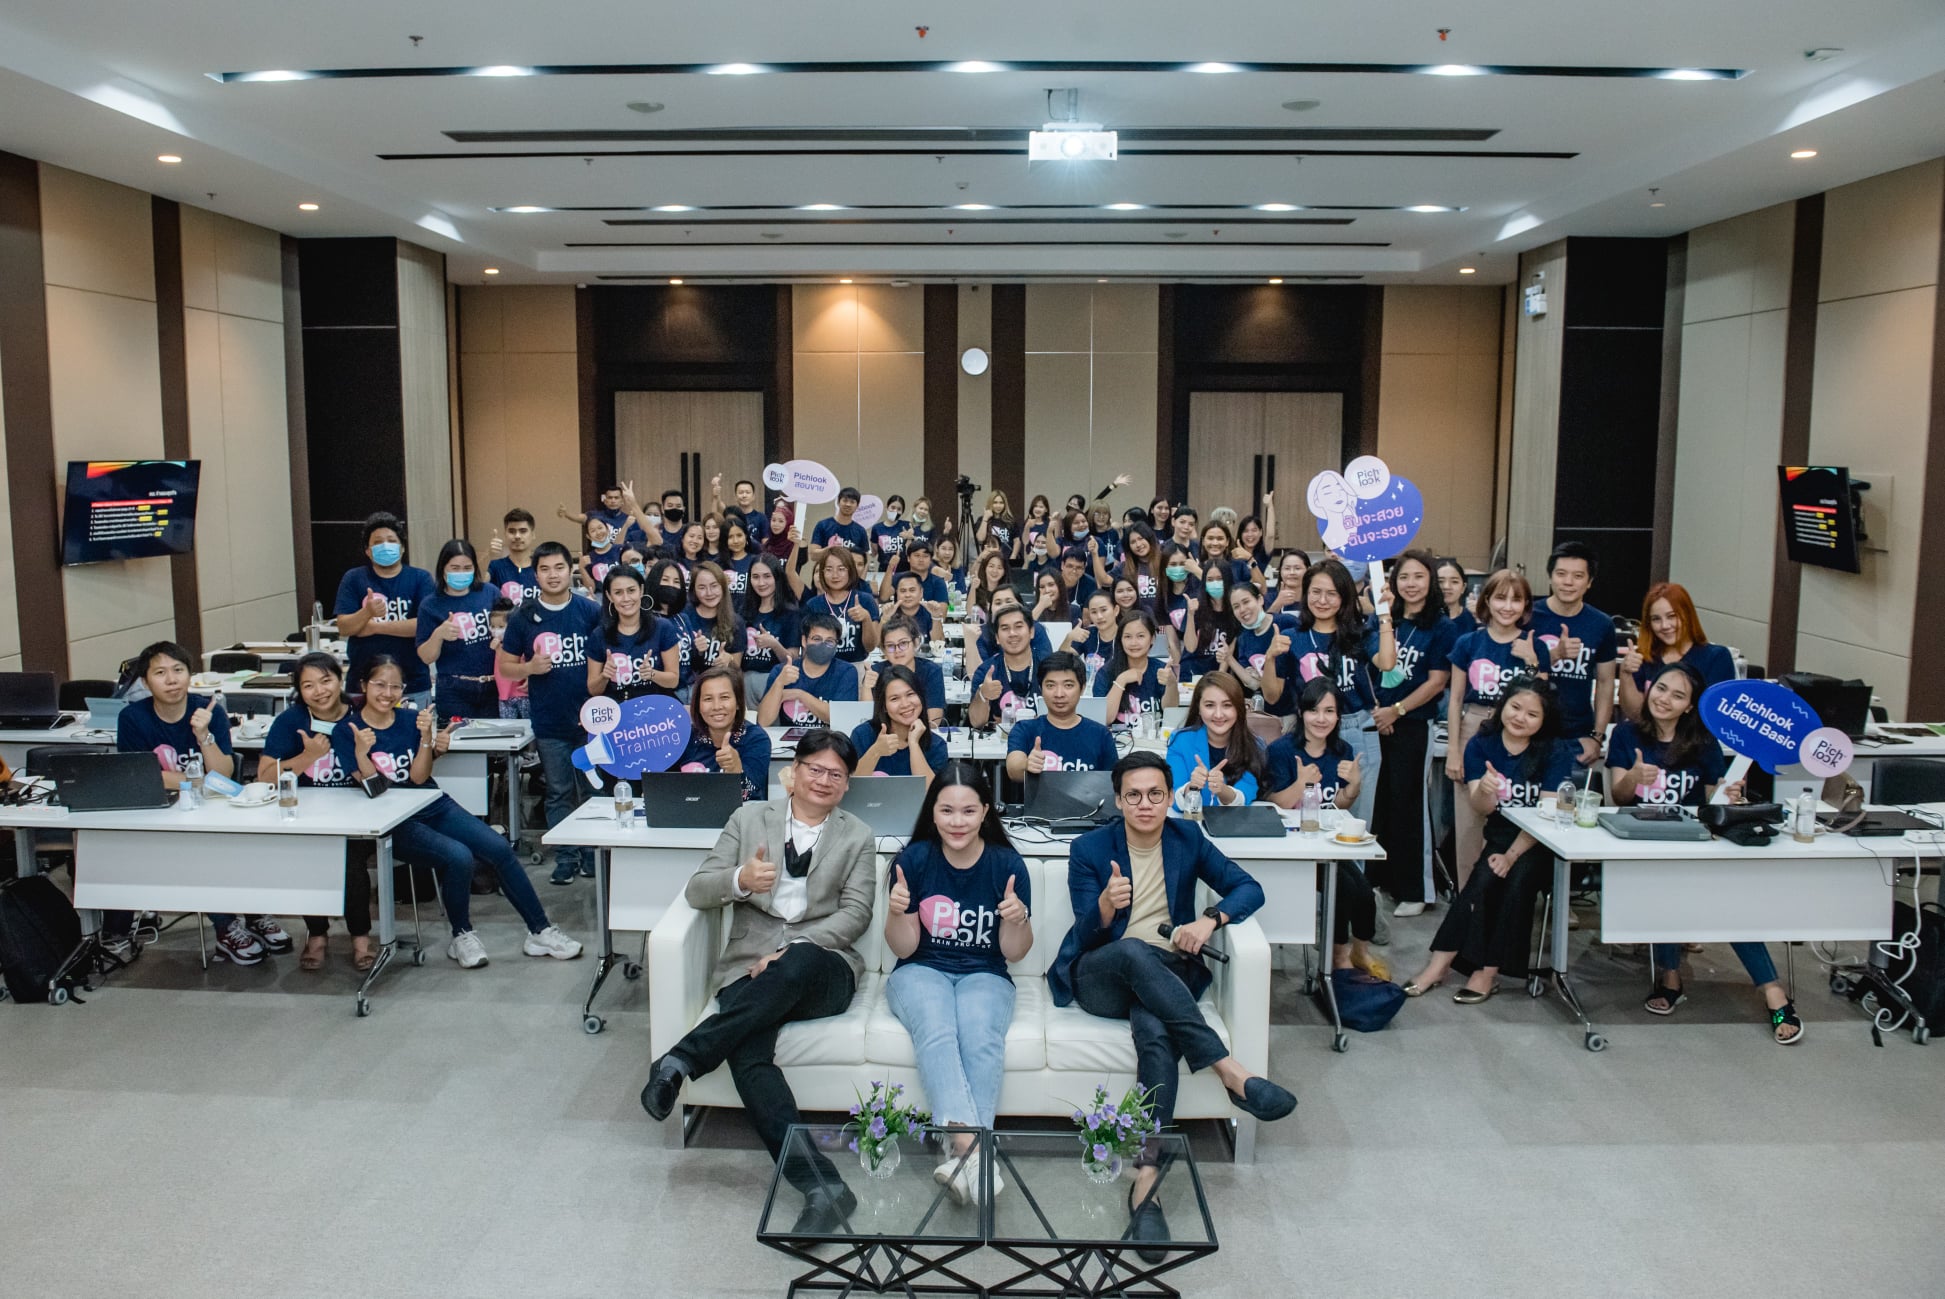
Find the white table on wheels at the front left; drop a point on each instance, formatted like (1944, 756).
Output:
(221, 859)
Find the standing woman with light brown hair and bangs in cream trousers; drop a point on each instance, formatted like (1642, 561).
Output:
(1483, 664)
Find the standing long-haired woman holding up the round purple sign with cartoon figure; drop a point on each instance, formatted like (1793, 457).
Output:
(1335, 641)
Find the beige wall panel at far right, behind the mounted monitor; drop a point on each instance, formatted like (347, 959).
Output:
(1878, 304)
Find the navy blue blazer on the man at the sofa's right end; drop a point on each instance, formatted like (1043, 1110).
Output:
(1187, 857)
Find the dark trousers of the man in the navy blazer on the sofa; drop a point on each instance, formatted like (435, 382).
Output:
(1149, 987)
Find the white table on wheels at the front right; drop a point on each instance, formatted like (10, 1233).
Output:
(1660, 892)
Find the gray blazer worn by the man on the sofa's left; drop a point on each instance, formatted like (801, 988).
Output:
(841, 884)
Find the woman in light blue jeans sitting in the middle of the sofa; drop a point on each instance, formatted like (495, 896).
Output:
(958, 915)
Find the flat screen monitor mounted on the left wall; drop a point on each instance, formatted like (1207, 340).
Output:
(129, 510)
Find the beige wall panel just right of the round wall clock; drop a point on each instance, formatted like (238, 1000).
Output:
(1090, 390)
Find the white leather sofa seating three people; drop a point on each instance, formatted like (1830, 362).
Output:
(1055, 1057)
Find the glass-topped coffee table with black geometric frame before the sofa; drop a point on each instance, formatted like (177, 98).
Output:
(1051, 1230)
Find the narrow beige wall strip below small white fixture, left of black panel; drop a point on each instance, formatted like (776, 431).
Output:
(1536, 448)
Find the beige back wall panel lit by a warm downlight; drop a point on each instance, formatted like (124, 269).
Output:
(859, 369)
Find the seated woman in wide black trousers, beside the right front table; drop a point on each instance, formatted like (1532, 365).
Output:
(1516, 761)
